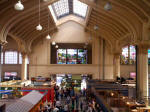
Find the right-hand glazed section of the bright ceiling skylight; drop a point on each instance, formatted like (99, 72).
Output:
(79, 8)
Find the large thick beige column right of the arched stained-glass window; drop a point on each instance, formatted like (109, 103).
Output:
(142, 72)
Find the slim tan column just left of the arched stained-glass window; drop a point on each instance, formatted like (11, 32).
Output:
(116, 65)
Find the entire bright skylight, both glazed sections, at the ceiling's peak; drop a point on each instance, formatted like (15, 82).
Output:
(65, 7)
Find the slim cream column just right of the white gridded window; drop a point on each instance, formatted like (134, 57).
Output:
(24, 67)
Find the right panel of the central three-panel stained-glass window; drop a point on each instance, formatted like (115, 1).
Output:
(82, 56)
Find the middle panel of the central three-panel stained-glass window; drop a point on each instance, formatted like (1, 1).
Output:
(71, 56)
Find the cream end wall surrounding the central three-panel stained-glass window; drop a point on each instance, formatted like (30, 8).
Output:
(69, 32)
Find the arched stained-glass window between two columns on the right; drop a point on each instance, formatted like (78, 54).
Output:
(128, 55)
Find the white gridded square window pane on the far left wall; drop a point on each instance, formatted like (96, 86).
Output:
(11, 57)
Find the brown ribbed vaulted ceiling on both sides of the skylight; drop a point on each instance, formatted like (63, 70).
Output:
(127, 22)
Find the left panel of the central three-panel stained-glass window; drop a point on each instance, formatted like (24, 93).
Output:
(61, 56)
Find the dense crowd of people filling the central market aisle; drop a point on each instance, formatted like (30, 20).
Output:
(69, 100)
